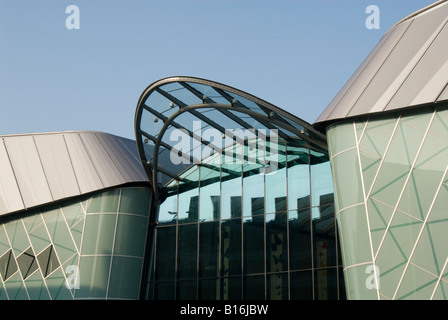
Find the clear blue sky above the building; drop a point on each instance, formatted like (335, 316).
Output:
(296, 54)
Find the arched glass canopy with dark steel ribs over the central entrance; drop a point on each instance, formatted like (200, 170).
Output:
(186, 107)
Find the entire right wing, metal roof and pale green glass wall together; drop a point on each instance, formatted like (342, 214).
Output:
(387, 137)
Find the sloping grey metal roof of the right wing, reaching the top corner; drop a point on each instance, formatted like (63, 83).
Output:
(408, 67)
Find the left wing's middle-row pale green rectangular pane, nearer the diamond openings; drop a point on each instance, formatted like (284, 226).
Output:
(99, 234)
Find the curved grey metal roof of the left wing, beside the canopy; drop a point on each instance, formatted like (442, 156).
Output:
(36, 169)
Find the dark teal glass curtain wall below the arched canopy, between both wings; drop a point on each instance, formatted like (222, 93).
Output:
(228, 230)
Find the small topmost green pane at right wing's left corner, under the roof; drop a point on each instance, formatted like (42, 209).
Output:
(341, 137)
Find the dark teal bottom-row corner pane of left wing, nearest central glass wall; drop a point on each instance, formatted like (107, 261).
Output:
(125, 278)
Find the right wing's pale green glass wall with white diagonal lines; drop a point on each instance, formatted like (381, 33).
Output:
(391, 191)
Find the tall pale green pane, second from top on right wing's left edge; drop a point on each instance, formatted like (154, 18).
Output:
(347, 179)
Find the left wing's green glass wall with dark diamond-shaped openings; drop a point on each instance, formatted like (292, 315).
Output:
(91, 247)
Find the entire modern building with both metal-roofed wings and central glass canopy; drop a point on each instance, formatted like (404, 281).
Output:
(224, 196)
